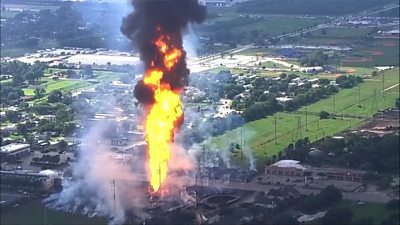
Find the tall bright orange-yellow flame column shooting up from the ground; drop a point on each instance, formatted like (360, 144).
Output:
(163, 114)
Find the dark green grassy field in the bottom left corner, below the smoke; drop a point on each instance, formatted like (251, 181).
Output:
(33, 213)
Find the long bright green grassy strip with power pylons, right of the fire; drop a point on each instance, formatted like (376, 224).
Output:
(259, 135)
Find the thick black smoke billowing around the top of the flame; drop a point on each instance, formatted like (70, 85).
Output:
(171, 17)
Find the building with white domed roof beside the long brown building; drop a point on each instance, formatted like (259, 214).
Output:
(286, 167)
